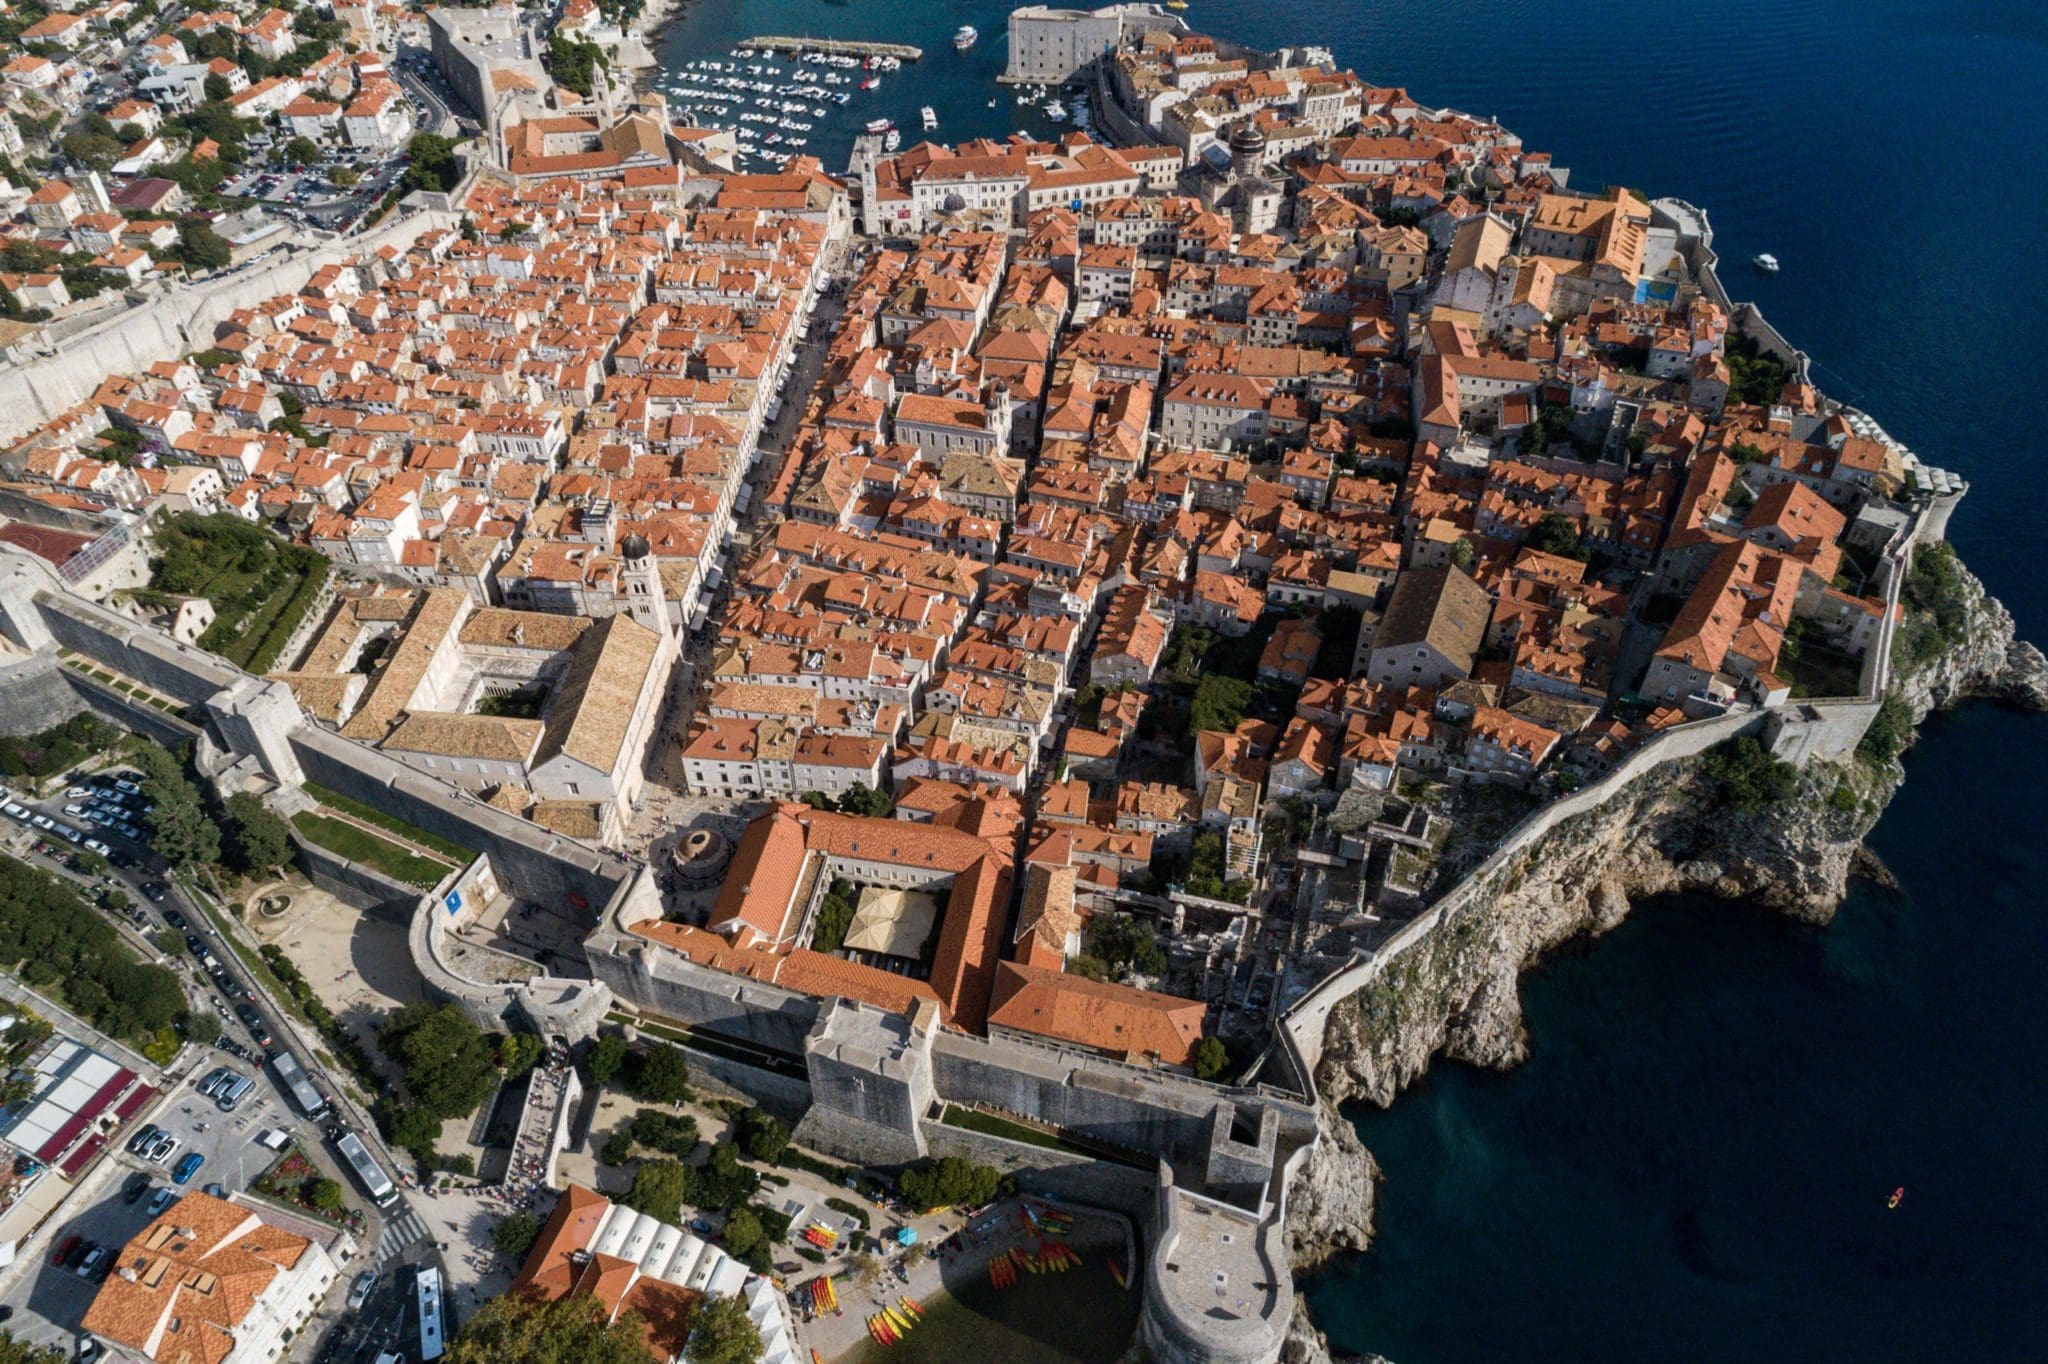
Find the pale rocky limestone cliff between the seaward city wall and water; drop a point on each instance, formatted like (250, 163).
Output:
(1457, 992)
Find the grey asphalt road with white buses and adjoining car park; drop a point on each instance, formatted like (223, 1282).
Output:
(50, 1302)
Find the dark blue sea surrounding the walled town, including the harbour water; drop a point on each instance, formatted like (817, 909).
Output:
(1697, 1158)
